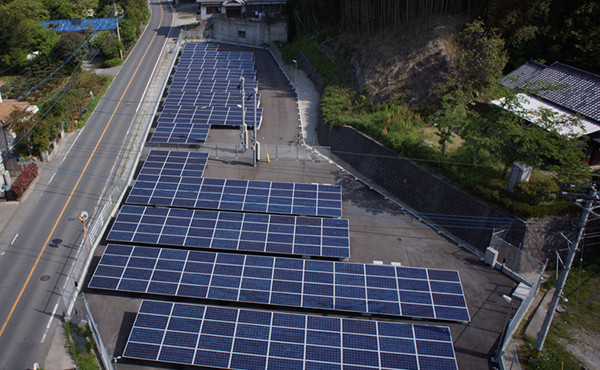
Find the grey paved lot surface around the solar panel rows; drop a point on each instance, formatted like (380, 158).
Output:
(379, 230)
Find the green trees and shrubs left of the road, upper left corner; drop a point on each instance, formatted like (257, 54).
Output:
(44, 68)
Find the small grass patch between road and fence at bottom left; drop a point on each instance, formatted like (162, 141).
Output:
(81, 346)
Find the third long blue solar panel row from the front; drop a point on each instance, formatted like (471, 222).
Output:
(308, 236)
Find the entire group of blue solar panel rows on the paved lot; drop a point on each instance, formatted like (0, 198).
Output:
(205, 91)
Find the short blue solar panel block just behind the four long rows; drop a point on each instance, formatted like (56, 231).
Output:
(173, 167)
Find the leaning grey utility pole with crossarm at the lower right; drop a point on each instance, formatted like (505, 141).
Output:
(590, 197)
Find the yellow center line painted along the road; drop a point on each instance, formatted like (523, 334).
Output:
(14, 306)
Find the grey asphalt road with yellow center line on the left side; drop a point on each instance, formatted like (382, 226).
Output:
(37, 245)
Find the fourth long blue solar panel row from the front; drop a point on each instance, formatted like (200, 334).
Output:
(239, 195)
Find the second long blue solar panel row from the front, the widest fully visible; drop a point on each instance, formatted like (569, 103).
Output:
(316, 284)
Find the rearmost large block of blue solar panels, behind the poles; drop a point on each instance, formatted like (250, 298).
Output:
(203, 70)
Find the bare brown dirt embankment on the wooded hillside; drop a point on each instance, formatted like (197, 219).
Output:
(409, 63)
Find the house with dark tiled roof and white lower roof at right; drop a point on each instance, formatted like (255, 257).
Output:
(565, 93)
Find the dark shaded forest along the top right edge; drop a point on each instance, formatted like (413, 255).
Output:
(544, 30)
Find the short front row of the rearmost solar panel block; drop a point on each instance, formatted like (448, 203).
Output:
(180, 133)
